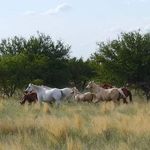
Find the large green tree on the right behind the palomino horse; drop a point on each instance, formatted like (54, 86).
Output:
(124, 60)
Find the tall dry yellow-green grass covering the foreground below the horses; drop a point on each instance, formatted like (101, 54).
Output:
(74, 126)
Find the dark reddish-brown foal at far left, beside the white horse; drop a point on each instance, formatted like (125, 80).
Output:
(29, 97)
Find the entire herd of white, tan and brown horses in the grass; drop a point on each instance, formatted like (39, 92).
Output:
(96, 93)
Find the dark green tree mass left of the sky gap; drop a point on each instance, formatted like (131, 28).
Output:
(38, 58)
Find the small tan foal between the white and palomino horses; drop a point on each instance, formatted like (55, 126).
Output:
(84, 97)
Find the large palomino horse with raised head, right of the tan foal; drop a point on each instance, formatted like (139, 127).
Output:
(102, 94)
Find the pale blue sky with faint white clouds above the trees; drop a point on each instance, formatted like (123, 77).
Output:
(79, 23)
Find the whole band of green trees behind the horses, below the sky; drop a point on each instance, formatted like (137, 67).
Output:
(41, 60)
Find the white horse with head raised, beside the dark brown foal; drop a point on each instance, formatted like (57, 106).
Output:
(48, 95)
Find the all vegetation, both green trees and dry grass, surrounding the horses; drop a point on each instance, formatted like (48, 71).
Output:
(74, 126)
